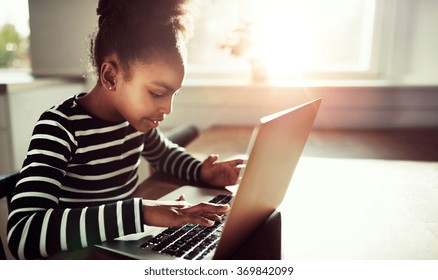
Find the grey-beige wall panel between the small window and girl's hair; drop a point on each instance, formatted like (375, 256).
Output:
(59, 35)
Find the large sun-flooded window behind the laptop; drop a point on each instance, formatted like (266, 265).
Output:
(283, 38)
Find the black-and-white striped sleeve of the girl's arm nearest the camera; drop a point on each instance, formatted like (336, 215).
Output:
(37, 226)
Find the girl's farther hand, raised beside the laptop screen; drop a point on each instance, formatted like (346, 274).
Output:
(220, 173)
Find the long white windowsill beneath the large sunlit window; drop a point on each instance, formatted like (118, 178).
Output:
(216, 77)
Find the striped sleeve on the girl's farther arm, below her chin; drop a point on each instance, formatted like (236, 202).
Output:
(170, 158)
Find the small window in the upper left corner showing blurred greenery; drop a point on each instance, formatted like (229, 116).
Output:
(14, 34)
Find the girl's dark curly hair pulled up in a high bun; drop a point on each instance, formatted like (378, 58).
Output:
(138, 30)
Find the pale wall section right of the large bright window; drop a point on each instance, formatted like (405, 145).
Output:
(413, 52)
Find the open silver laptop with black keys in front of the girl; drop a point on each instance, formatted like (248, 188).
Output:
(273, 153)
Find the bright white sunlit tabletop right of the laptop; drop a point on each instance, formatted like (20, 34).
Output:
(361, 209)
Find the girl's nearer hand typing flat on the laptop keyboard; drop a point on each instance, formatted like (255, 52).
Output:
(180, 212)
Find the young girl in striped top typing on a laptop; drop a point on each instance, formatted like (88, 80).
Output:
(81, 167)
